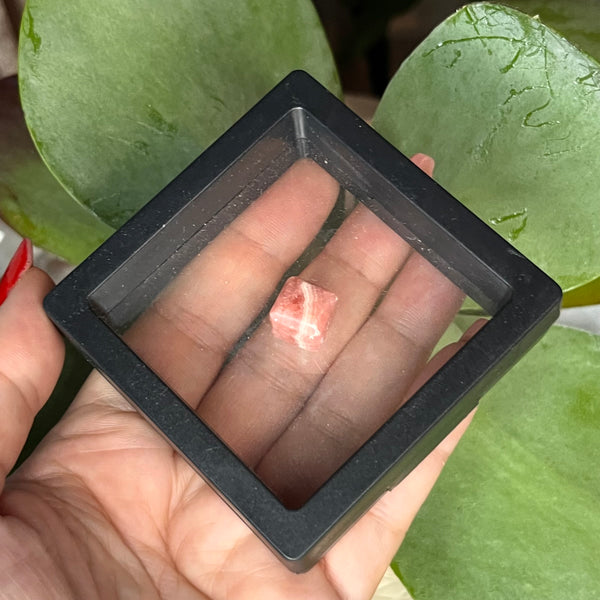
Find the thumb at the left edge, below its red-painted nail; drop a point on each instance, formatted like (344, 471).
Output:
(31, 358)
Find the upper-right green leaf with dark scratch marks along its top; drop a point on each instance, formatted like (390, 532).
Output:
(509, 109)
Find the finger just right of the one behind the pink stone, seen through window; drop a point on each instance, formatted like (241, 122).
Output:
(365, 385)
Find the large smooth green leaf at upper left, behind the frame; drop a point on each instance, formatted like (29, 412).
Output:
(121, 96)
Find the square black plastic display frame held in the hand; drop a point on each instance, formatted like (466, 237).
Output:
(300, 118)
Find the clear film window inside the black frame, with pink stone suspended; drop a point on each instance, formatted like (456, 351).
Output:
(294, 321)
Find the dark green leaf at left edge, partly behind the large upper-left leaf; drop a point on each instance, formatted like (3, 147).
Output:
(31, 200)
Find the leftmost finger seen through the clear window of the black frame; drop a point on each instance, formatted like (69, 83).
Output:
(202, 314)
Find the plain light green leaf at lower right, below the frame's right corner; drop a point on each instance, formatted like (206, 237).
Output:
(515, 511)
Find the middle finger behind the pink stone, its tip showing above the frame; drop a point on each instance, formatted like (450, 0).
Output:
(266, 385)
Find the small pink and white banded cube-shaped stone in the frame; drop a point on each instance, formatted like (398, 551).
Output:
(301, 313)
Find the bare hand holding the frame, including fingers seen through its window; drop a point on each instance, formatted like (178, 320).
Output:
(106, 509)
